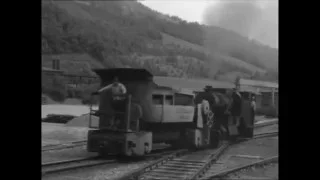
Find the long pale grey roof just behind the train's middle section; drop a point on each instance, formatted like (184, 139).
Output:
(190, 84)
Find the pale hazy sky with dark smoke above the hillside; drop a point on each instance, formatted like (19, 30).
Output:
(256, 19)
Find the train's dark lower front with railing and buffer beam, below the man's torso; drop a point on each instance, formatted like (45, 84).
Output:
(120, 133)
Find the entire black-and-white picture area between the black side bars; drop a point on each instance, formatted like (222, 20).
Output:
(159, 89)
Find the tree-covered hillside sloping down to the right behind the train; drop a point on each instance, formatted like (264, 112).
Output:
(128, 34)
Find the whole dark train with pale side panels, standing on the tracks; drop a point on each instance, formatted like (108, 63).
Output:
(153, 114)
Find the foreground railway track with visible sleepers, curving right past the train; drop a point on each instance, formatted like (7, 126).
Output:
(184, 164)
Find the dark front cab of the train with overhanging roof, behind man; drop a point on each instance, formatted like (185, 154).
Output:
(118, 130)
